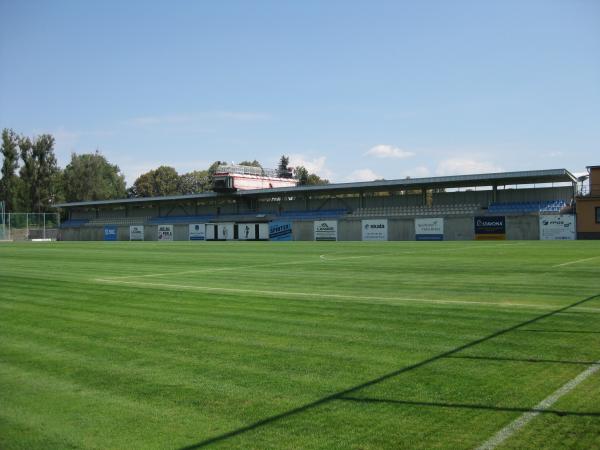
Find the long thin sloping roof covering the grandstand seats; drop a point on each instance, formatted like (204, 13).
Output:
(455, 181)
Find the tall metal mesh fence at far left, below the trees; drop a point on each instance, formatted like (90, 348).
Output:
(29, 226)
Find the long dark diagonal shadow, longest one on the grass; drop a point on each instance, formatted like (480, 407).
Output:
(344, 393)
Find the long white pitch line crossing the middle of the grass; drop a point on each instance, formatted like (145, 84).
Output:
(317, 295)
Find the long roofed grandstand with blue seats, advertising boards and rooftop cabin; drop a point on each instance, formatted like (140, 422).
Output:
(521, 204)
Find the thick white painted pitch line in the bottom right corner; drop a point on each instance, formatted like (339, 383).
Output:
(524, 419)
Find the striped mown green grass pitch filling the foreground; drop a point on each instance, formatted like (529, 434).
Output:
(257, 345)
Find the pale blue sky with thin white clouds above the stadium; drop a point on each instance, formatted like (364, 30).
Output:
(352, 90)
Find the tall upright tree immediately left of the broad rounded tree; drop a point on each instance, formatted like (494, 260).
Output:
(39, 172)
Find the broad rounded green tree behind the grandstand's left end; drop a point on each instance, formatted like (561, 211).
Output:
(91, 177)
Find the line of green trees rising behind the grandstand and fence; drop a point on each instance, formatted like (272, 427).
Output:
(31, 180)
